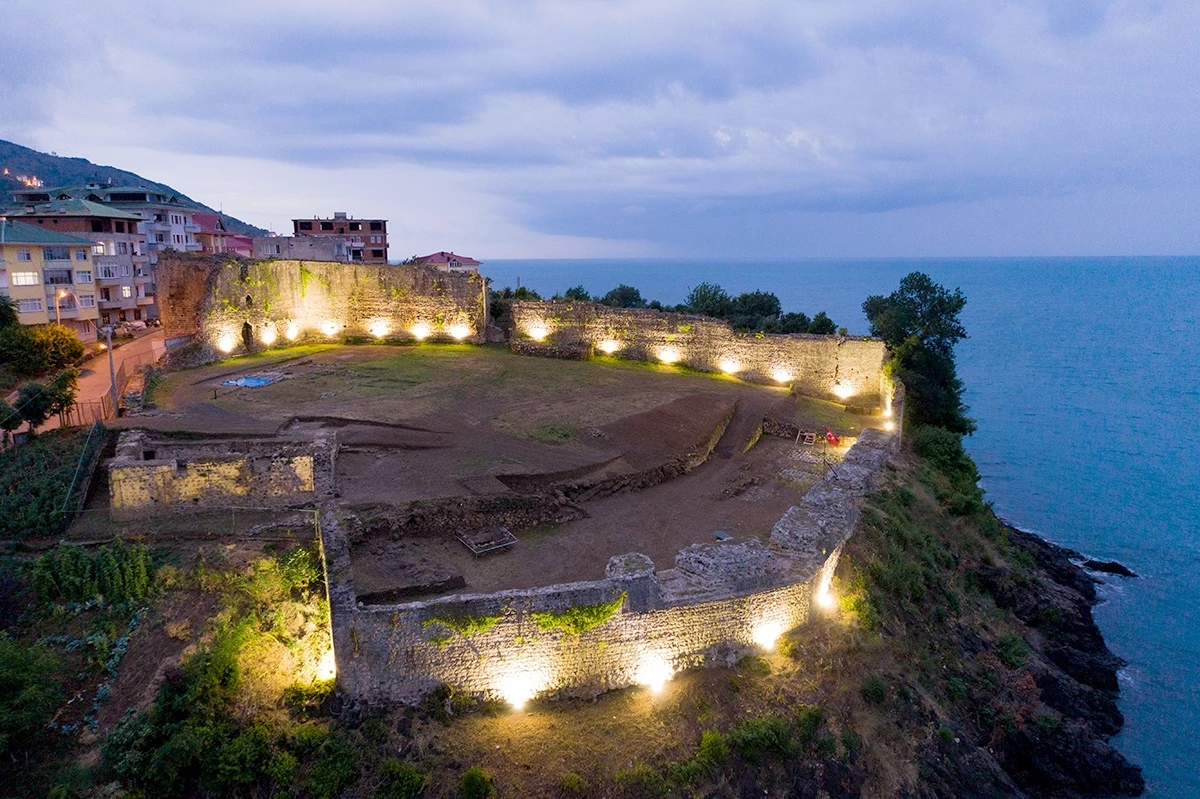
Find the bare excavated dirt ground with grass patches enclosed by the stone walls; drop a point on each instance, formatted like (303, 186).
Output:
(437, 423)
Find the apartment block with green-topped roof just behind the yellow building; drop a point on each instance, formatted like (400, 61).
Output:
(125, 290)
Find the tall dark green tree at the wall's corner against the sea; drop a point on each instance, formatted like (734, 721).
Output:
(921, 325)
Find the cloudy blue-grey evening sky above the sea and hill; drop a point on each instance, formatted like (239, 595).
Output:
(643, 128)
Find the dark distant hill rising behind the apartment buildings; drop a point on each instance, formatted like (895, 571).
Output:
(58, 171)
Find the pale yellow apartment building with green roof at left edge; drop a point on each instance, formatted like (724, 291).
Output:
(50, 275)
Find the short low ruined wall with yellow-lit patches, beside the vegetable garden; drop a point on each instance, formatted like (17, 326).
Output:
(148, 474)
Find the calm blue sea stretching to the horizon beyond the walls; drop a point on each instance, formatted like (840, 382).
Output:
(1084, 376)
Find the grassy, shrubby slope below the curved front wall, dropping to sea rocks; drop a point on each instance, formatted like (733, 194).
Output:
(947, 671)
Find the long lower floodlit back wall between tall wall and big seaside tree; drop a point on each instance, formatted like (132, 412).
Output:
(848, 369)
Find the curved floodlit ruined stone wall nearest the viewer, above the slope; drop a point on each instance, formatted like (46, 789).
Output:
(717, 604)
